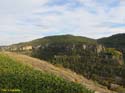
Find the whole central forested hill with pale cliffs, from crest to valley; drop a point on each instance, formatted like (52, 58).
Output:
(97, 61)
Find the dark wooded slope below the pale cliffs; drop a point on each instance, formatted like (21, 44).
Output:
(103, 67)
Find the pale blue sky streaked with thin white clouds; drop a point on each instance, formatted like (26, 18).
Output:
(25, 20)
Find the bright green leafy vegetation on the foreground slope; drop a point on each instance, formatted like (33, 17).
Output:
(14, 75)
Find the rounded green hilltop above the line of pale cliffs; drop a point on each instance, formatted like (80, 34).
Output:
(70, 39)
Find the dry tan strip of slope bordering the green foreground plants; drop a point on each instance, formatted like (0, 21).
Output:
(65, 73)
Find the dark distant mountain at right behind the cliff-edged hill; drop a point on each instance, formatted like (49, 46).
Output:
(114, 41)
